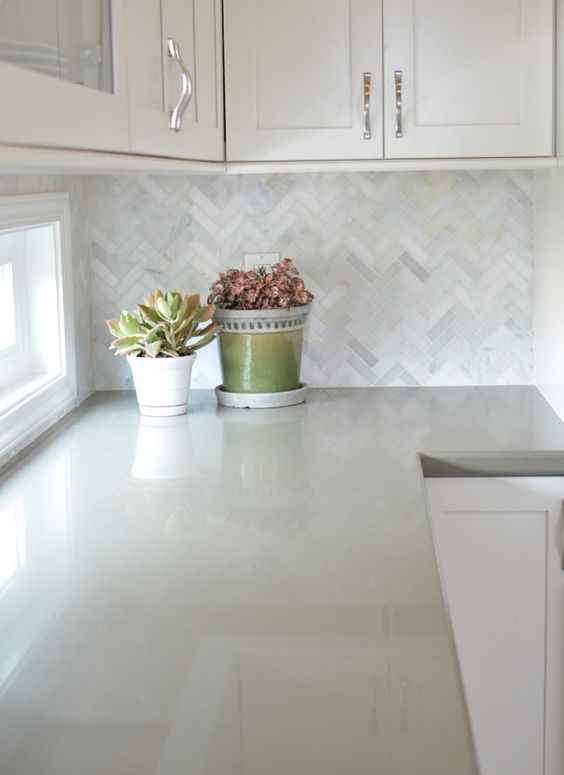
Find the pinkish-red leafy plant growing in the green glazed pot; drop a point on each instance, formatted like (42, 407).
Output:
(275, 287)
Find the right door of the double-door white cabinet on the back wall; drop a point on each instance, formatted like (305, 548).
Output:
(476, 78)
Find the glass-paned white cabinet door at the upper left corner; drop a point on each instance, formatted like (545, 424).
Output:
(61, 75)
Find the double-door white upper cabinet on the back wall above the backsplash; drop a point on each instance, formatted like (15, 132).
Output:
(461, 79)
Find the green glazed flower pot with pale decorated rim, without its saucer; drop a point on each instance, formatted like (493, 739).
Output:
(261, 350)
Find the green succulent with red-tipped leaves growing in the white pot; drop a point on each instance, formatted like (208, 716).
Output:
(165, 325)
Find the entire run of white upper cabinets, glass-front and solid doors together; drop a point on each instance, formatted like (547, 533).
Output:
(304, 81)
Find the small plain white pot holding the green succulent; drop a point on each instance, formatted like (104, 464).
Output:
(162, 384)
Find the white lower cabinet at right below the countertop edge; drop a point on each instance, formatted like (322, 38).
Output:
(499, 545)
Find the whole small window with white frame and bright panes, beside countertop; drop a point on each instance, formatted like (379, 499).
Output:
(37, 373)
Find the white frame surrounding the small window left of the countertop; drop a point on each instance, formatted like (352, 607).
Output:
(32, 405)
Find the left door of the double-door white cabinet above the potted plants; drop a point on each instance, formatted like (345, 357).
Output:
(303, 80)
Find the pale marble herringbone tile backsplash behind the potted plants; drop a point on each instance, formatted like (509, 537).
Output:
(419, 278)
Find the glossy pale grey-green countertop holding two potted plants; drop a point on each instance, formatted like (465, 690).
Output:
(239, 592)
